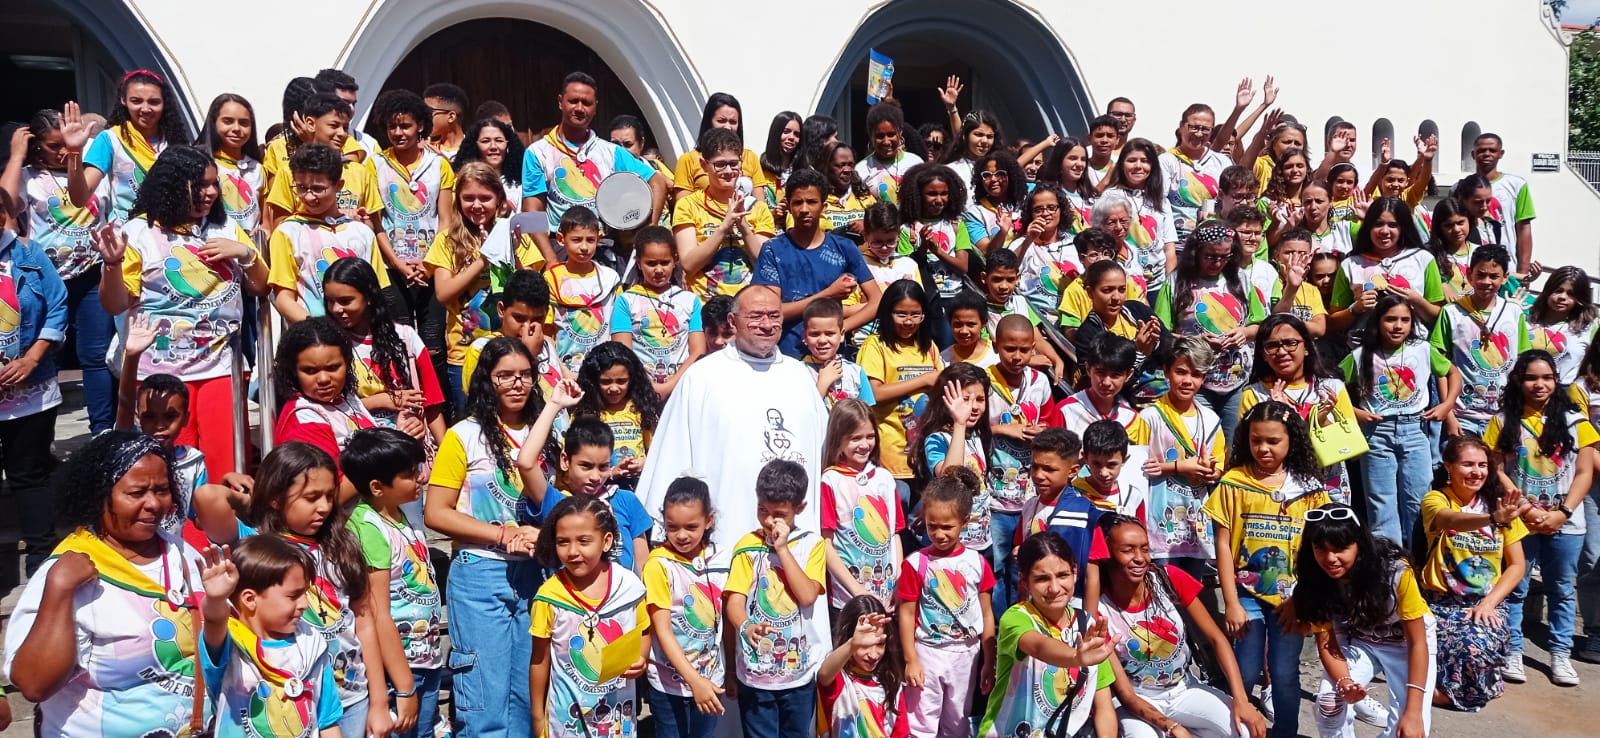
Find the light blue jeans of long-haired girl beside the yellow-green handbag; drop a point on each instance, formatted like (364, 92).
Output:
(1399, 471)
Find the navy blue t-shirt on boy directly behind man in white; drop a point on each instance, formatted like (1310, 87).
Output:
(801, 273)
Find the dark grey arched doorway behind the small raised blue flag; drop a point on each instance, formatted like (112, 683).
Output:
(1009, 60)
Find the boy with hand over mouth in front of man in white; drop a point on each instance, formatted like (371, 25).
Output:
(774, 596)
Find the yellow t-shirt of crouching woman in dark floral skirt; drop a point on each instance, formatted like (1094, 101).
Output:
(1465, 561)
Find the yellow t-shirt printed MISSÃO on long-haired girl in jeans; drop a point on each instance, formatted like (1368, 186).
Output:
(1265, 529)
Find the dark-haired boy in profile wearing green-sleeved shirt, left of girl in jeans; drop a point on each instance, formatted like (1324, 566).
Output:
(385, 465)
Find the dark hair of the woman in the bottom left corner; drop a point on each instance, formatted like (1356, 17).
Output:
(86, 479)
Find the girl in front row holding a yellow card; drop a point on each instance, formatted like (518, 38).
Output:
(590, 608)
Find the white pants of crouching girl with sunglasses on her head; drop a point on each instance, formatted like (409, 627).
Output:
(1337, 720)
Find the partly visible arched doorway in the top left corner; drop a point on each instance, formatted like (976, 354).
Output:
(60, 50)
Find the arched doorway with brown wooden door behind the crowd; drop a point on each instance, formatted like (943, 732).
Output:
(521, 50)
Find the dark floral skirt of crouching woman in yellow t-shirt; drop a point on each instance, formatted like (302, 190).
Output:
(1470, 654)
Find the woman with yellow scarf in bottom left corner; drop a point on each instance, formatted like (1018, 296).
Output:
(105, 635)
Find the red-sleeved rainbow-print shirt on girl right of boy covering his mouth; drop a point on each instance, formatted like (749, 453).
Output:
(863, 511)
